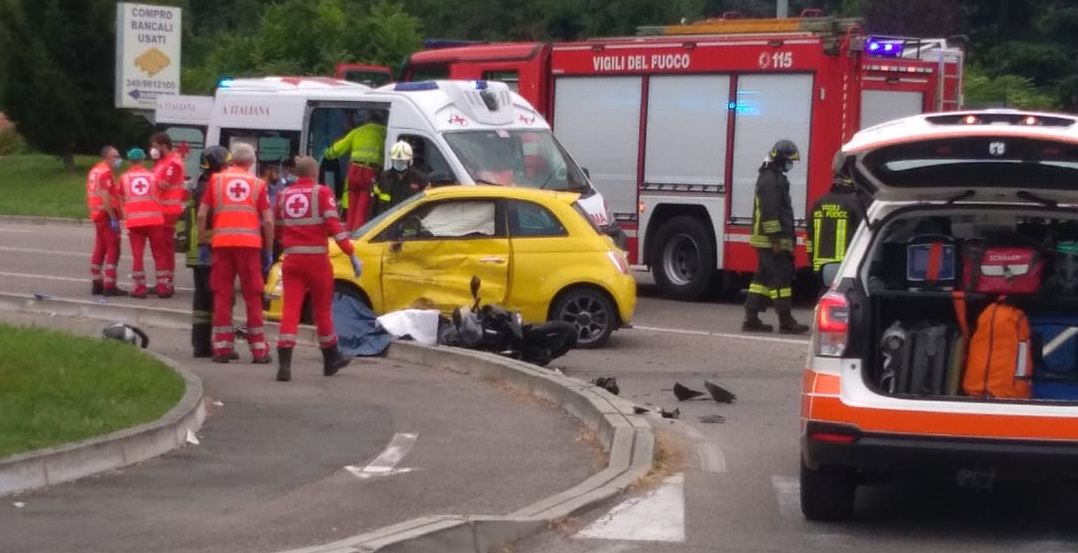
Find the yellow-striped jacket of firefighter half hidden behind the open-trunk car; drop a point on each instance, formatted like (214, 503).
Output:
(832, 224)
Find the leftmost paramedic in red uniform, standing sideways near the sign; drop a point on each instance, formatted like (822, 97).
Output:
(103, 200)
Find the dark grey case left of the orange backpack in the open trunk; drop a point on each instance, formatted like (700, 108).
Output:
(930, 364)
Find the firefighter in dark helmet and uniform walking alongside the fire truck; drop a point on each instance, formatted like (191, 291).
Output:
(773, 238)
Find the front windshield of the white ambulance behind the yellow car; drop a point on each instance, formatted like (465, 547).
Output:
(524, 158)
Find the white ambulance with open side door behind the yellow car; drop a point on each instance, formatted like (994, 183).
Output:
(461, 132)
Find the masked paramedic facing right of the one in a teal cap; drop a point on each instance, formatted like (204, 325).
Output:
(174, 197)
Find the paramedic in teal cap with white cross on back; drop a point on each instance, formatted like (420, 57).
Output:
(143, 219)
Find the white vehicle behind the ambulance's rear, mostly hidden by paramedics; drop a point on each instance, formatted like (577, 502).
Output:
(187, 120)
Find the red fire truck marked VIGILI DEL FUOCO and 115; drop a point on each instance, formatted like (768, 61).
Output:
(674, 123)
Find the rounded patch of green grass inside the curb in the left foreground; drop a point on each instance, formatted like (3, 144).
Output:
(58, 389)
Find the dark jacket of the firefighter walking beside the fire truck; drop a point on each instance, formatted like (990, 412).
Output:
(773, 217)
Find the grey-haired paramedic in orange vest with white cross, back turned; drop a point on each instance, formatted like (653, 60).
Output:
(242, 242)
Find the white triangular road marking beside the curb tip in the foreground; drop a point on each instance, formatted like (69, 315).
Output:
(658, 516)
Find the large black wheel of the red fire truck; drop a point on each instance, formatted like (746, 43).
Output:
(683, 259)
